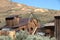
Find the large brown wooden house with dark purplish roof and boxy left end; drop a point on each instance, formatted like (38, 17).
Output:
(17, 23)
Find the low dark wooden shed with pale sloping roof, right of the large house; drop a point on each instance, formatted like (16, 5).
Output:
(49, 25)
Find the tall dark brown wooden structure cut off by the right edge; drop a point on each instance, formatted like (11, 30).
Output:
(57, 27)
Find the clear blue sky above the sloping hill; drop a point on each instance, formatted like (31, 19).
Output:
(48, 4)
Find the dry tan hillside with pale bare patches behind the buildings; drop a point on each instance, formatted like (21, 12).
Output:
(11, 8)
